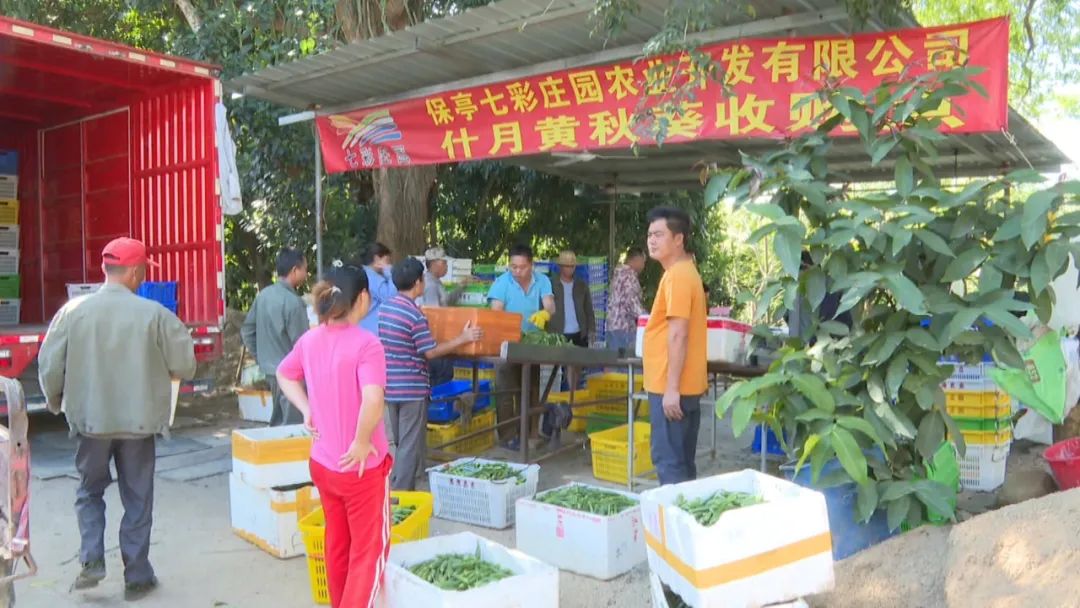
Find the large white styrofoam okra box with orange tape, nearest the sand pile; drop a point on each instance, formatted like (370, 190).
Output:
(769, 553)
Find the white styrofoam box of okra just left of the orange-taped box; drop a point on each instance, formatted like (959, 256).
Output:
(585, 530)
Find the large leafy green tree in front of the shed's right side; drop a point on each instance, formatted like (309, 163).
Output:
(900, 260)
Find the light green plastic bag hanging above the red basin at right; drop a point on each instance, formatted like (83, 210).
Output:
(1041, 386)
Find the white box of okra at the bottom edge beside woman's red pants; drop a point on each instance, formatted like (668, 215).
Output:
(465, 571)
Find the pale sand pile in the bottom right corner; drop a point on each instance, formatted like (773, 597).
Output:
(1021, 557)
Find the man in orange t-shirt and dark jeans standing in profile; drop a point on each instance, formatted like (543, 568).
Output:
(674, 352)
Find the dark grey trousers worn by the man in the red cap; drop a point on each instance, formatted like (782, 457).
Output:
(136, 466)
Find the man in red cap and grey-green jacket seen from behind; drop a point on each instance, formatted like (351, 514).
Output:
(109, 361)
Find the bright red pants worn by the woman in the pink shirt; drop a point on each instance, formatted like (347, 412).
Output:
(358, 532)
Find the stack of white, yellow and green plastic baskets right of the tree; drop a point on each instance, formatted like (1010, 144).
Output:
(983, 415)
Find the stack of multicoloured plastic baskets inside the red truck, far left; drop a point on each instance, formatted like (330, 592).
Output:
(10, 295)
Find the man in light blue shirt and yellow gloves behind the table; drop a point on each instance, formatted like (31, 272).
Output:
(523, 291)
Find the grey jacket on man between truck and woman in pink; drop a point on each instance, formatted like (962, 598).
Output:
(276, 322)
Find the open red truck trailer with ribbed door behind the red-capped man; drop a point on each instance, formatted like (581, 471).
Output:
(105, 141)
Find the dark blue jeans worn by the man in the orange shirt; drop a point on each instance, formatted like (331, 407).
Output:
(676, 442)
